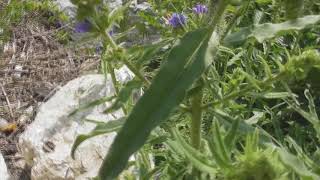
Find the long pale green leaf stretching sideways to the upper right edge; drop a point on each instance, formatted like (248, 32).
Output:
(265, 31)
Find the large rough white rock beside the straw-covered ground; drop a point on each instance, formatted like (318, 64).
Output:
(46, 143)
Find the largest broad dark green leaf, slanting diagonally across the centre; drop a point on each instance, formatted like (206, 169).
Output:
(166, 92)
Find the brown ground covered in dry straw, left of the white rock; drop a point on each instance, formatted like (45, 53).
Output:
(33, 66)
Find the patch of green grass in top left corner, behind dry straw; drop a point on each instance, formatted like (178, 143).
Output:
(15, 12)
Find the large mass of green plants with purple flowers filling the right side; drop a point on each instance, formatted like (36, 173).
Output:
(230, 88)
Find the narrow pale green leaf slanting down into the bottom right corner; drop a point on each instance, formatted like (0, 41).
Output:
(296, 165)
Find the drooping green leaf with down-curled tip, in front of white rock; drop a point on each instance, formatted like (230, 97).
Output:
(101, 128)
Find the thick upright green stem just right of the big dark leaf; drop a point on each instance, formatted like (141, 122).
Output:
(196, 115)
